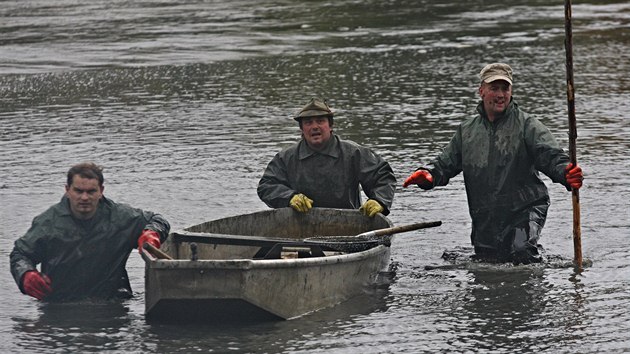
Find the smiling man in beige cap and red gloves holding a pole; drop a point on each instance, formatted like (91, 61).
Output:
(501, 150)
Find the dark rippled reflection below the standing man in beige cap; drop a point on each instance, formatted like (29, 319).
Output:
(506, 307)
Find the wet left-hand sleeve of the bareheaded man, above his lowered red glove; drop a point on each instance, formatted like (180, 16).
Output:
(28, 251)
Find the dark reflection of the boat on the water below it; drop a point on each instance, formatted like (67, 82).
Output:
(308, 333)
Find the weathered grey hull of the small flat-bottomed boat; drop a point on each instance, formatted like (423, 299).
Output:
(225, 282)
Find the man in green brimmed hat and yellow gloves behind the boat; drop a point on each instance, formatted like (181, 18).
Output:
(322, 170)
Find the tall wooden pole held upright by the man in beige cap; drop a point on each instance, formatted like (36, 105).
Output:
(568, 45)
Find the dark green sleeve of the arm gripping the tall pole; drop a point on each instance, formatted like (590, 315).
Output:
(549, 157)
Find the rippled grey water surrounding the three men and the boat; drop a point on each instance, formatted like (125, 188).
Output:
(185, 102)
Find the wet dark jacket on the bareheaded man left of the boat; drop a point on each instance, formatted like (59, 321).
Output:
(84, 258)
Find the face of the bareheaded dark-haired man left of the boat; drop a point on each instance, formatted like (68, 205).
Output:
(84, 194)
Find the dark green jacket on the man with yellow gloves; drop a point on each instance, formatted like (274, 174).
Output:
(331, 178)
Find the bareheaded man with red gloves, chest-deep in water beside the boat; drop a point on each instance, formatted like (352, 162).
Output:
(83, 243)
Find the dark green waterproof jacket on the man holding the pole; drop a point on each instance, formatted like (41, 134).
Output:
(500, 161)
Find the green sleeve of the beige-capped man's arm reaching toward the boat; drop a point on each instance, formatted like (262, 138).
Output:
(449, 163)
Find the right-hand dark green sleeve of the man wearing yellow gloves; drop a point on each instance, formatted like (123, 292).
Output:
(377, 179)
